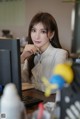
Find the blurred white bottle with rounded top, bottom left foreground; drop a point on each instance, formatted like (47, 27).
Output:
(11, 106)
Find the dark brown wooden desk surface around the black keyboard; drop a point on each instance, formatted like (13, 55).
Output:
(38, 94)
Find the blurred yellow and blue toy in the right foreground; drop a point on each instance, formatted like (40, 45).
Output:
(62, 74)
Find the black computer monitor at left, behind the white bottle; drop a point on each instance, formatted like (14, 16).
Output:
(10, 69)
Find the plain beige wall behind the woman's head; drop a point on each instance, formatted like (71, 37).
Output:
(60, 10)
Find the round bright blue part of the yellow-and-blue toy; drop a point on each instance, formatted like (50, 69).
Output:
(57, 79)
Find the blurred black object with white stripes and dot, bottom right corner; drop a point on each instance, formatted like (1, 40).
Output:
(70, 96)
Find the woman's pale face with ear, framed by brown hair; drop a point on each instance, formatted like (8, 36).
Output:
(40, 37)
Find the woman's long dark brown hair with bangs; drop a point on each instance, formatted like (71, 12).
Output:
(50, 25)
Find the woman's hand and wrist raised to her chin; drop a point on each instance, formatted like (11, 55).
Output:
(28, 51)
